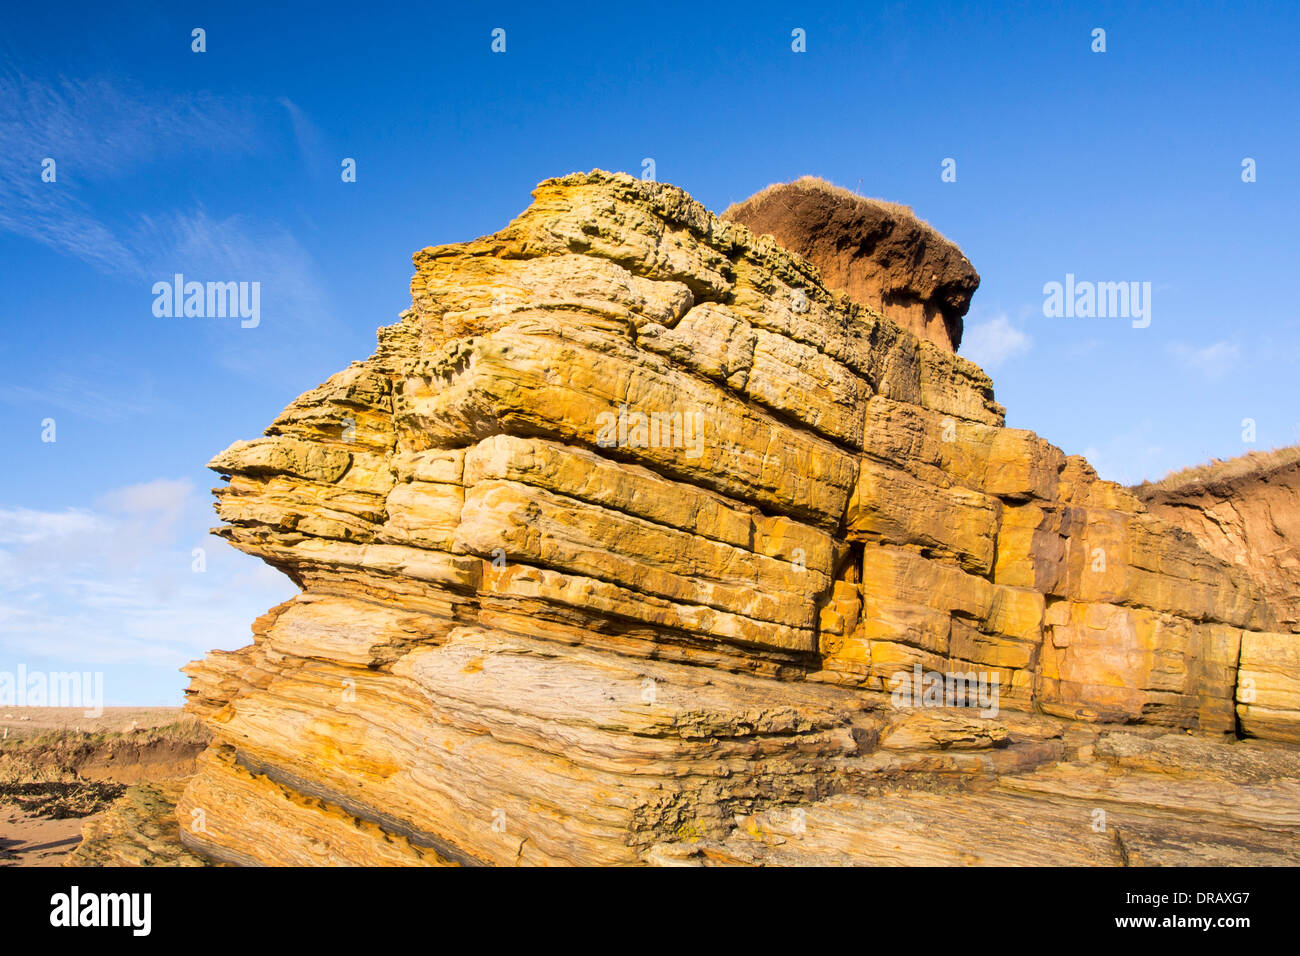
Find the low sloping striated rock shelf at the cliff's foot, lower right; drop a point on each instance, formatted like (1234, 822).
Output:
(1126, 801)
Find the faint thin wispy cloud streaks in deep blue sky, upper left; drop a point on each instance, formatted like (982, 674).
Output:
(101, 131)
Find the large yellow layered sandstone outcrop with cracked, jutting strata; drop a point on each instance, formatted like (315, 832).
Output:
(634, 543)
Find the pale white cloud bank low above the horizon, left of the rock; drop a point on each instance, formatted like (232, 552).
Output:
(115, 585)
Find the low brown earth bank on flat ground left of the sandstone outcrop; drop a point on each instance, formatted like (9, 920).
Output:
(60, 771)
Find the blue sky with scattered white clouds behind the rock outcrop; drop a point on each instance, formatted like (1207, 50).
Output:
(1124, 166)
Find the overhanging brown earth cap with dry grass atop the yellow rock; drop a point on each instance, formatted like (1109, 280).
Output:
(878, 254)
